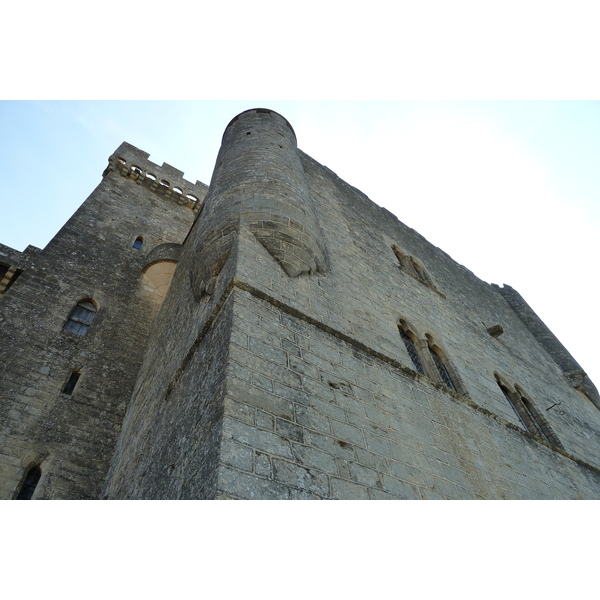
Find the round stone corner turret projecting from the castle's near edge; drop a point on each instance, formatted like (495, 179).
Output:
(258, 183)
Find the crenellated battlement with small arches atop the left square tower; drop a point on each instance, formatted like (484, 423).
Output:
(165, 181)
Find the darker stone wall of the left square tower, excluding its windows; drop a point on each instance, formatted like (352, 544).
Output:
(72, 435)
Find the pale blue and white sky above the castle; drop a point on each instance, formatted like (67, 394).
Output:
(508, 189)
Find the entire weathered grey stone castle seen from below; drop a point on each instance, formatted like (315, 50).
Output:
(275, 335)
